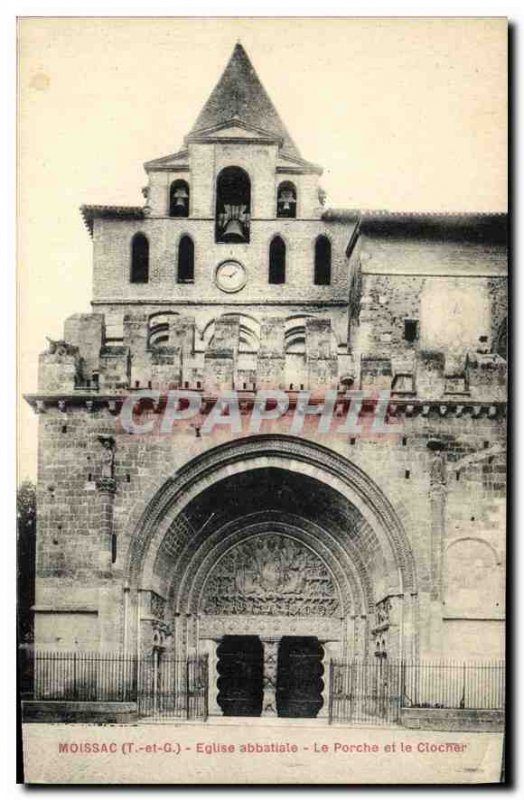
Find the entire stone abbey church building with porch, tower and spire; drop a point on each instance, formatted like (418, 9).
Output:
(235, 276)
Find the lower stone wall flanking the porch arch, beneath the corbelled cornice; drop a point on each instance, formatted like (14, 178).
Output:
(76, 572)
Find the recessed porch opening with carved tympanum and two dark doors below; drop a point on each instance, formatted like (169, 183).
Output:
(265, 570)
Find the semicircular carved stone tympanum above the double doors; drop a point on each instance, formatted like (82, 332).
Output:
(270, 574)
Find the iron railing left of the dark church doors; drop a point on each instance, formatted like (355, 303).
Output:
(161, 685)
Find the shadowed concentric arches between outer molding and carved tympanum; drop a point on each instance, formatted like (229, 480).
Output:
(278, 502)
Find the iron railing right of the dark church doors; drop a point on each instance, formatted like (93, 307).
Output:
(375, 692)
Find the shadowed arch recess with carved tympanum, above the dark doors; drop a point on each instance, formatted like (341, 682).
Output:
(266, 547)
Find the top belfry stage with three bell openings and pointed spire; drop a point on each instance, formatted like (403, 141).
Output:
(242, 162)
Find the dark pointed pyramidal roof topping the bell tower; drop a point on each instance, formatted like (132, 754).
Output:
(240, 96)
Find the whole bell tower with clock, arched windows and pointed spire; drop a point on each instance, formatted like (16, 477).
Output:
(232, 252)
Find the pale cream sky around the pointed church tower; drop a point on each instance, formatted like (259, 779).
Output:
(403, 114)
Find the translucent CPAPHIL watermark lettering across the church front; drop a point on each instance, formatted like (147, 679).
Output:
(354, 413)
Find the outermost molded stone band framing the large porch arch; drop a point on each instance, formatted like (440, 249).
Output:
(284, 452)
